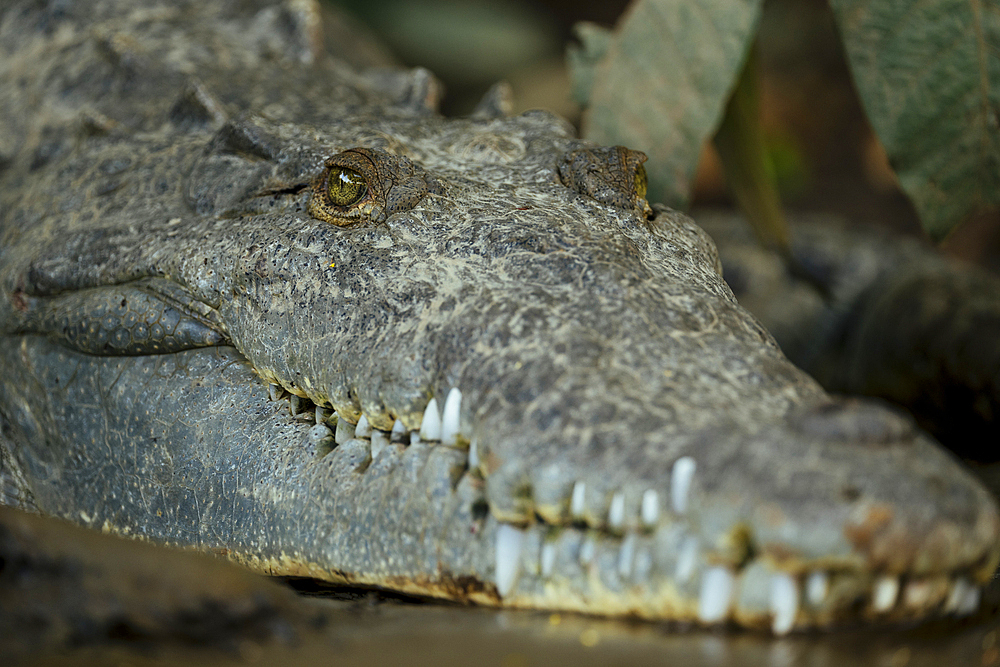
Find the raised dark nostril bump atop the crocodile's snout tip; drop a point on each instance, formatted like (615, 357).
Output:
(857, 422)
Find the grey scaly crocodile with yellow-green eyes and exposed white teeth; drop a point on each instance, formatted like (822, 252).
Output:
(263, 301)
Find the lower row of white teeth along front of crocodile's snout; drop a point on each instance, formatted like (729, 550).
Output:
(788, 594)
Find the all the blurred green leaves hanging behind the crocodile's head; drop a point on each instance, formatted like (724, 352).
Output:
(674, 73)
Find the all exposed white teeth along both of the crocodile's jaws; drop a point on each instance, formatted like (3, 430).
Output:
(718, 585)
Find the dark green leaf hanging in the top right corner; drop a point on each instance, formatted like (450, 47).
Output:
(928, 72)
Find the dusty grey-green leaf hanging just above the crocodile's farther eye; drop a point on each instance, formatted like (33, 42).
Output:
(665, 80)
